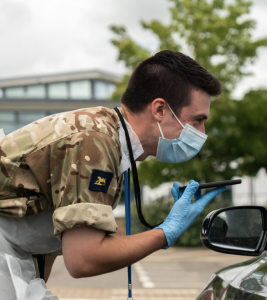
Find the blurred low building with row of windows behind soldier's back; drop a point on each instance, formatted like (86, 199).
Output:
(26, 99)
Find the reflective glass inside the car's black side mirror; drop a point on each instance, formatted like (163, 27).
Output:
(239, 228)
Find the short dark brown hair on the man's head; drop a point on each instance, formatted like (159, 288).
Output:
(169, 75)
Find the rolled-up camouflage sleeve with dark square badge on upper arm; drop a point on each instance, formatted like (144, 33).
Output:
(74, 162)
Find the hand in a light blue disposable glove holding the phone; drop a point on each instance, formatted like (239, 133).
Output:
(184, 212)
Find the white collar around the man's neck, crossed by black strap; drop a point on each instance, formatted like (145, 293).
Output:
(136, 145)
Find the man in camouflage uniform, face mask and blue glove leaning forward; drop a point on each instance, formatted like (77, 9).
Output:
(62, 176)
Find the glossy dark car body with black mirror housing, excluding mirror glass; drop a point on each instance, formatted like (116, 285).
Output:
(242, 281)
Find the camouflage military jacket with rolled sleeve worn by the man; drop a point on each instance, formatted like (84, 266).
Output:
(55, 164)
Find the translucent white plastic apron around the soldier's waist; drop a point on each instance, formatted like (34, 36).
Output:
(19, 239)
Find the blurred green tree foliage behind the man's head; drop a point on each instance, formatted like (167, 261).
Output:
(218, 35)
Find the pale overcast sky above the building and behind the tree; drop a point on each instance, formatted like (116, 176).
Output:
(53, 36)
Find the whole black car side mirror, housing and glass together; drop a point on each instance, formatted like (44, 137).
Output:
(238, 230)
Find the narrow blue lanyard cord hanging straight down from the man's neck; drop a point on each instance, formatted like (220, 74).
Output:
(127, 192)
